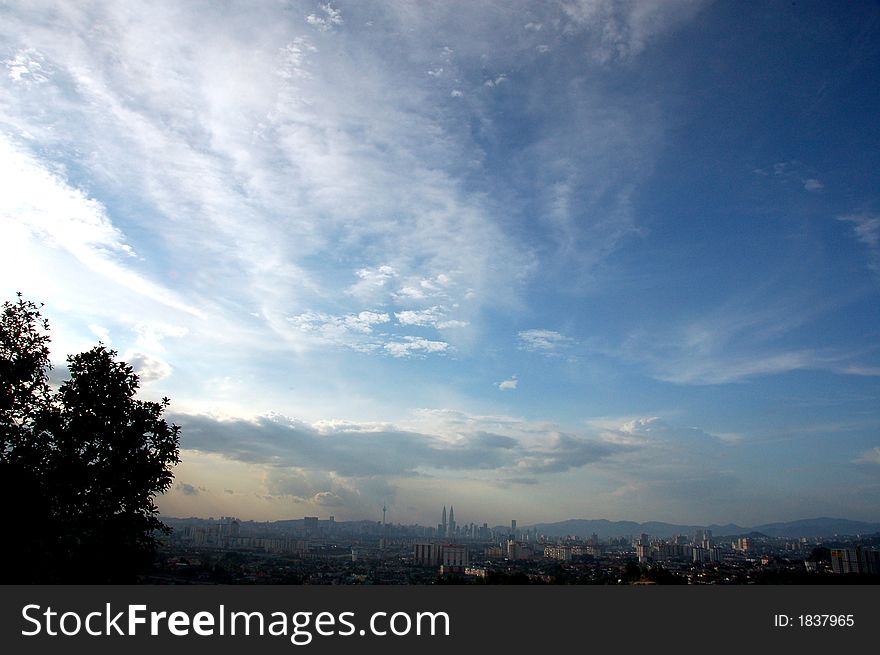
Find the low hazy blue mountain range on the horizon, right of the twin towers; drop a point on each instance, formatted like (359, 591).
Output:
(820, 527)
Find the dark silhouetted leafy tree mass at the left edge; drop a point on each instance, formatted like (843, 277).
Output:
(82, 465)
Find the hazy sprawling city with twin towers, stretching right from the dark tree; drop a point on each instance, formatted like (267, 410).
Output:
(320, 551)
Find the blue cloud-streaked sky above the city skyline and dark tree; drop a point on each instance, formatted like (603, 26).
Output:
(538, 261)
